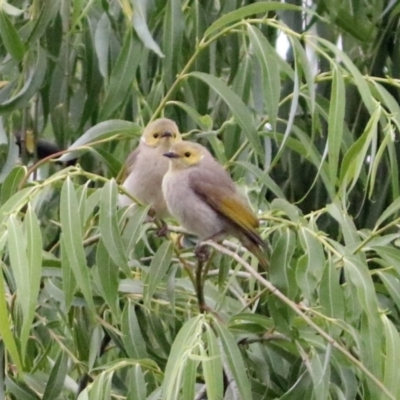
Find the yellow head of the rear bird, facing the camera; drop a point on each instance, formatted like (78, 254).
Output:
(161, 133)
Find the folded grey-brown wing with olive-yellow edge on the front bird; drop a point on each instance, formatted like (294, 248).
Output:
(222, 196)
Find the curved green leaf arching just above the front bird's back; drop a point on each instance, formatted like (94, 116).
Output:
(236, 105)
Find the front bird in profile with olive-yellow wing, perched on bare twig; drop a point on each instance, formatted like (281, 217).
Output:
(202, 196)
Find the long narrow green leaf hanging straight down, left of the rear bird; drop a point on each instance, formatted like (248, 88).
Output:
(73, 240)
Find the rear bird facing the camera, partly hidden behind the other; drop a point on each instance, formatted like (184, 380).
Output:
(146, 166)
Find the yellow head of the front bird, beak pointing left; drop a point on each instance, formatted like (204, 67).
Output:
(186, 154)
